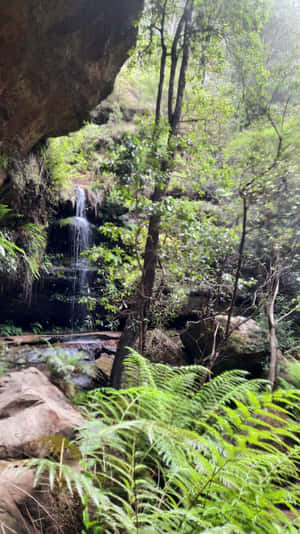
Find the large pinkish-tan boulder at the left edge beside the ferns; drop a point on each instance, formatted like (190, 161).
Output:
(30, 409)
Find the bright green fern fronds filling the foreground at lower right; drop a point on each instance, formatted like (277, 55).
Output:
(169, 455)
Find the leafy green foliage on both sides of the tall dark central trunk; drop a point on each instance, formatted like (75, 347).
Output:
(191, 235)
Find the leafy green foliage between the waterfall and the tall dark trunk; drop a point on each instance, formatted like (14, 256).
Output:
(118, 257)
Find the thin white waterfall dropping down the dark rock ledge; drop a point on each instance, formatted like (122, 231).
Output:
(81, 241)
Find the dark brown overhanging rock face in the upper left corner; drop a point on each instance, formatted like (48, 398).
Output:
(58, 60)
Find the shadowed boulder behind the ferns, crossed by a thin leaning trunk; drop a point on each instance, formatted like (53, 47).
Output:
(246, 348)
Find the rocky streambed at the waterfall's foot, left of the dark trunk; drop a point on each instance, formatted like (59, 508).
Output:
(85, 359)
